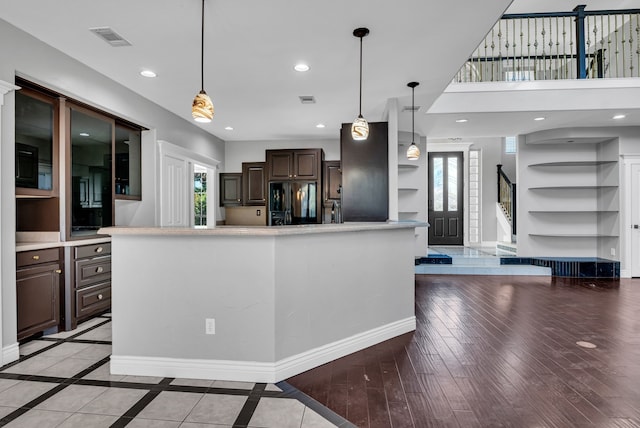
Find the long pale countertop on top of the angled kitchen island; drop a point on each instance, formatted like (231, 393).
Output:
(305, 229)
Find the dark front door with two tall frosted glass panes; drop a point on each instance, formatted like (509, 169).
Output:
(445, 198)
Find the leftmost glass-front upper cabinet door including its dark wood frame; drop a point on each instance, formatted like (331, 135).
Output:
(36, 159)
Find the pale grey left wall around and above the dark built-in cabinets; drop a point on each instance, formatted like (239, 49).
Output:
(27, 57)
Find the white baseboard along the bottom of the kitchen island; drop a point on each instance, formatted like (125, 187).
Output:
(255, 371)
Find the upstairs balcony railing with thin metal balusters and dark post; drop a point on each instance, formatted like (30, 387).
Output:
(558, 45)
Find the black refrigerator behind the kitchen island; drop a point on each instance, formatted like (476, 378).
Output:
(293, 202)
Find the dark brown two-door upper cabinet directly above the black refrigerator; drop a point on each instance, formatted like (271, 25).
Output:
(297, 164)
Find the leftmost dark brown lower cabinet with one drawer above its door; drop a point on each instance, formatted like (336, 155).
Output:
(37, 291)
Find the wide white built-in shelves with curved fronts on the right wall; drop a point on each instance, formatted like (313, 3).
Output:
(569, 198)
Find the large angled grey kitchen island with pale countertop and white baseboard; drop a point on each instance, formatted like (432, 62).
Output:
(256, 304)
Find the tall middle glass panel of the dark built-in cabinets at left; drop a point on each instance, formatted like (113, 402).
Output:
(91, 142)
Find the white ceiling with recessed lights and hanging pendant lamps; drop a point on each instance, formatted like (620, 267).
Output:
(251, 47)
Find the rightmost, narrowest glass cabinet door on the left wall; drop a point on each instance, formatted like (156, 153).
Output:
(127, 159)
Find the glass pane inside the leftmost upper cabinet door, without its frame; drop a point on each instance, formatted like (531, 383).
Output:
(34, 142)
